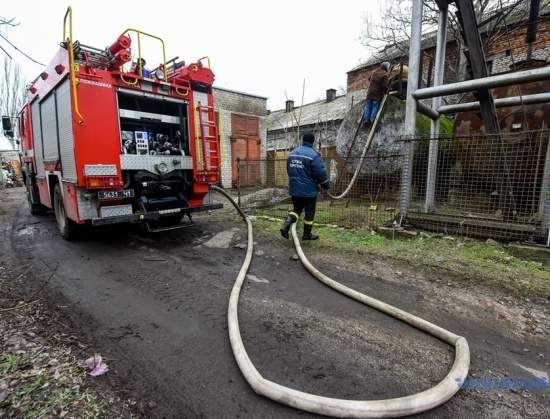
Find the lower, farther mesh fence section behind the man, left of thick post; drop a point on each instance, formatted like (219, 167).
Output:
(262, 188)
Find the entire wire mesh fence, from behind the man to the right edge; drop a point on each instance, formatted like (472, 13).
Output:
(486, 186)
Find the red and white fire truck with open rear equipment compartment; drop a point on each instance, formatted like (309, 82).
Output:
(104, 140)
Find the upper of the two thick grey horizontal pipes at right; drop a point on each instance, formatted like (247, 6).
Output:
(518, 77)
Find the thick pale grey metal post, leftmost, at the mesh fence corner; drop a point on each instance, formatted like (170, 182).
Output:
(410, 111)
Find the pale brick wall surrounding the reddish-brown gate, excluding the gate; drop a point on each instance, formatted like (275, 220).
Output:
(228, 102)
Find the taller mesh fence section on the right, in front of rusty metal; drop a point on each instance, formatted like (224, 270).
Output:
(486, 185)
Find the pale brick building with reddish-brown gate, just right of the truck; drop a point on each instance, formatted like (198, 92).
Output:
(242, 129)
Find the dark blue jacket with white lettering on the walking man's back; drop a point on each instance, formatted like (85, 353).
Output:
(305, 172)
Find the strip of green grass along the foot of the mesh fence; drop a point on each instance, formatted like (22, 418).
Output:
(469, 260)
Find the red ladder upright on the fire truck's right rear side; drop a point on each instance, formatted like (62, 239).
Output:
(209, 161)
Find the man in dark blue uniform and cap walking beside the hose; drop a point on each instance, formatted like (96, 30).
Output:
(306, 172)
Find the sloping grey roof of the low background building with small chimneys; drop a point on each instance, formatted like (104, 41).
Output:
(311, 113)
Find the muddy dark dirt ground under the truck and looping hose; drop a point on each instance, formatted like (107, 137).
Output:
(155, 306)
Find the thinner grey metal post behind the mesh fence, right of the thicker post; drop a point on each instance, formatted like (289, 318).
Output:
(439, 73)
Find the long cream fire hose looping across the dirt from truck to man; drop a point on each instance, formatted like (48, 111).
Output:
(396, 407)
